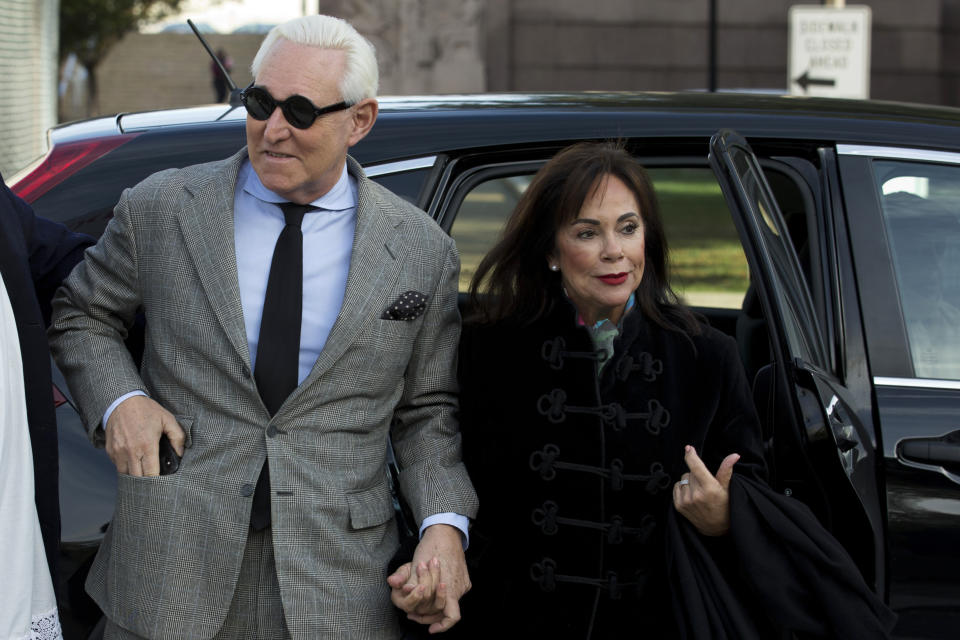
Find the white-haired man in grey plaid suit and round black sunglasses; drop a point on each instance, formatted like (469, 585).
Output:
(193, 248)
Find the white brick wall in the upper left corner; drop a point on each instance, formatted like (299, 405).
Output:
(28, 55)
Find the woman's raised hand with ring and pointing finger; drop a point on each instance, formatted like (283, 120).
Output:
(701, 497)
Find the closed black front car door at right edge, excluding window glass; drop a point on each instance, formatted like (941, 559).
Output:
(922, 500)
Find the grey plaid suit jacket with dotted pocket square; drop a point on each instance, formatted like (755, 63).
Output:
(170, 559)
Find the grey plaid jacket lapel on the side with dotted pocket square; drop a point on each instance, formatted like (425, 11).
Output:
(377, 256)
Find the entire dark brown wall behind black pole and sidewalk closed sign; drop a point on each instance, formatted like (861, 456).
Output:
(548, 45)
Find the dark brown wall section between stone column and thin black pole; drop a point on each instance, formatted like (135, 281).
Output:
(548, 45)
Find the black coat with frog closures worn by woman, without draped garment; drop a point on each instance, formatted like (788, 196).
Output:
(575, 472)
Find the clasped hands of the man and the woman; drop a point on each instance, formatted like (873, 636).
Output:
(430, 587)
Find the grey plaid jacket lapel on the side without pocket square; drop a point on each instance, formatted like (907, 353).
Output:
(207, 223)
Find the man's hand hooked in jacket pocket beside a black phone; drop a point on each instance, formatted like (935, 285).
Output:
(133, 435)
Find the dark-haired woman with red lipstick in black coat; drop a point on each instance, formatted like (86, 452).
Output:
(613, 443)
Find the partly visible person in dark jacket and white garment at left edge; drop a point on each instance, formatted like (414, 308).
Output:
(35, 255)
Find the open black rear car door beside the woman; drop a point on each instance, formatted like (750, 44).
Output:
(819, 449)
